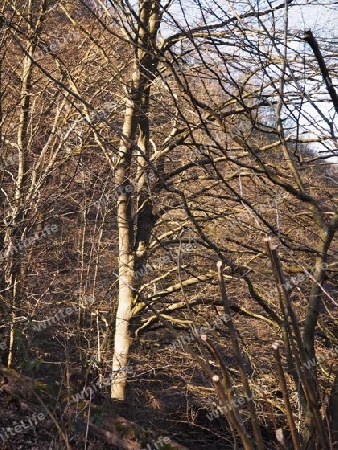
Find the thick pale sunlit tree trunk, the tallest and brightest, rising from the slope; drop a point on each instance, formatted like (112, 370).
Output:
(136, 121)
